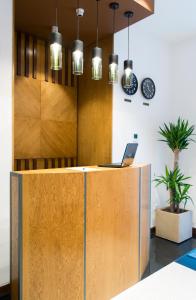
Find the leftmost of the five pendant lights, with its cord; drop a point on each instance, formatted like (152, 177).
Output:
(55, 48)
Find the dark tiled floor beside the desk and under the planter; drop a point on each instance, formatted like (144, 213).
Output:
(162, 253)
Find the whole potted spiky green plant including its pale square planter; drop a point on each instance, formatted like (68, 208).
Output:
(175, 222)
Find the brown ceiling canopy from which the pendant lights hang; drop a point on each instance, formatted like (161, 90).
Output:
(37, 17)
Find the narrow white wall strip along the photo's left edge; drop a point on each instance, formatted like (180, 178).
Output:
(6, 20)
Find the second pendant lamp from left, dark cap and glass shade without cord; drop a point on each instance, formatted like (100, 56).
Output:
(77, 57)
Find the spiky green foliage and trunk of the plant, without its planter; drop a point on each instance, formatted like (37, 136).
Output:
(178, 137)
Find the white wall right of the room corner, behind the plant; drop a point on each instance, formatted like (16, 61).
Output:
(184, 100)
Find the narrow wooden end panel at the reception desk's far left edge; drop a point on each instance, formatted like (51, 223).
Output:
(14, 270)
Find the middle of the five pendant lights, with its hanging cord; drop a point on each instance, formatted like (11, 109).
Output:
(97, 54)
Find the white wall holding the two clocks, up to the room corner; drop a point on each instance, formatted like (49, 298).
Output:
(151, 58)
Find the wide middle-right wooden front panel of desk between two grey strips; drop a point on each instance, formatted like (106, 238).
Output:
(112, 232)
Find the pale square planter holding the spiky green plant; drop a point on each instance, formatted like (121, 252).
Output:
(174, 227)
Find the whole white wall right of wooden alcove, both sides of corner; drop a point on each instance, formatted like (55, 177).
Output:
(172, 67)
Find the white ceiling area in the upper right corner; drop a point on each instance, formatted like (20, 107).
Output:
(174, 20)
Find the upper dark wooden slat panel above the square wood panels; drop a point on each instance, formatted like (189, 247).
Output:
(33, 60)
